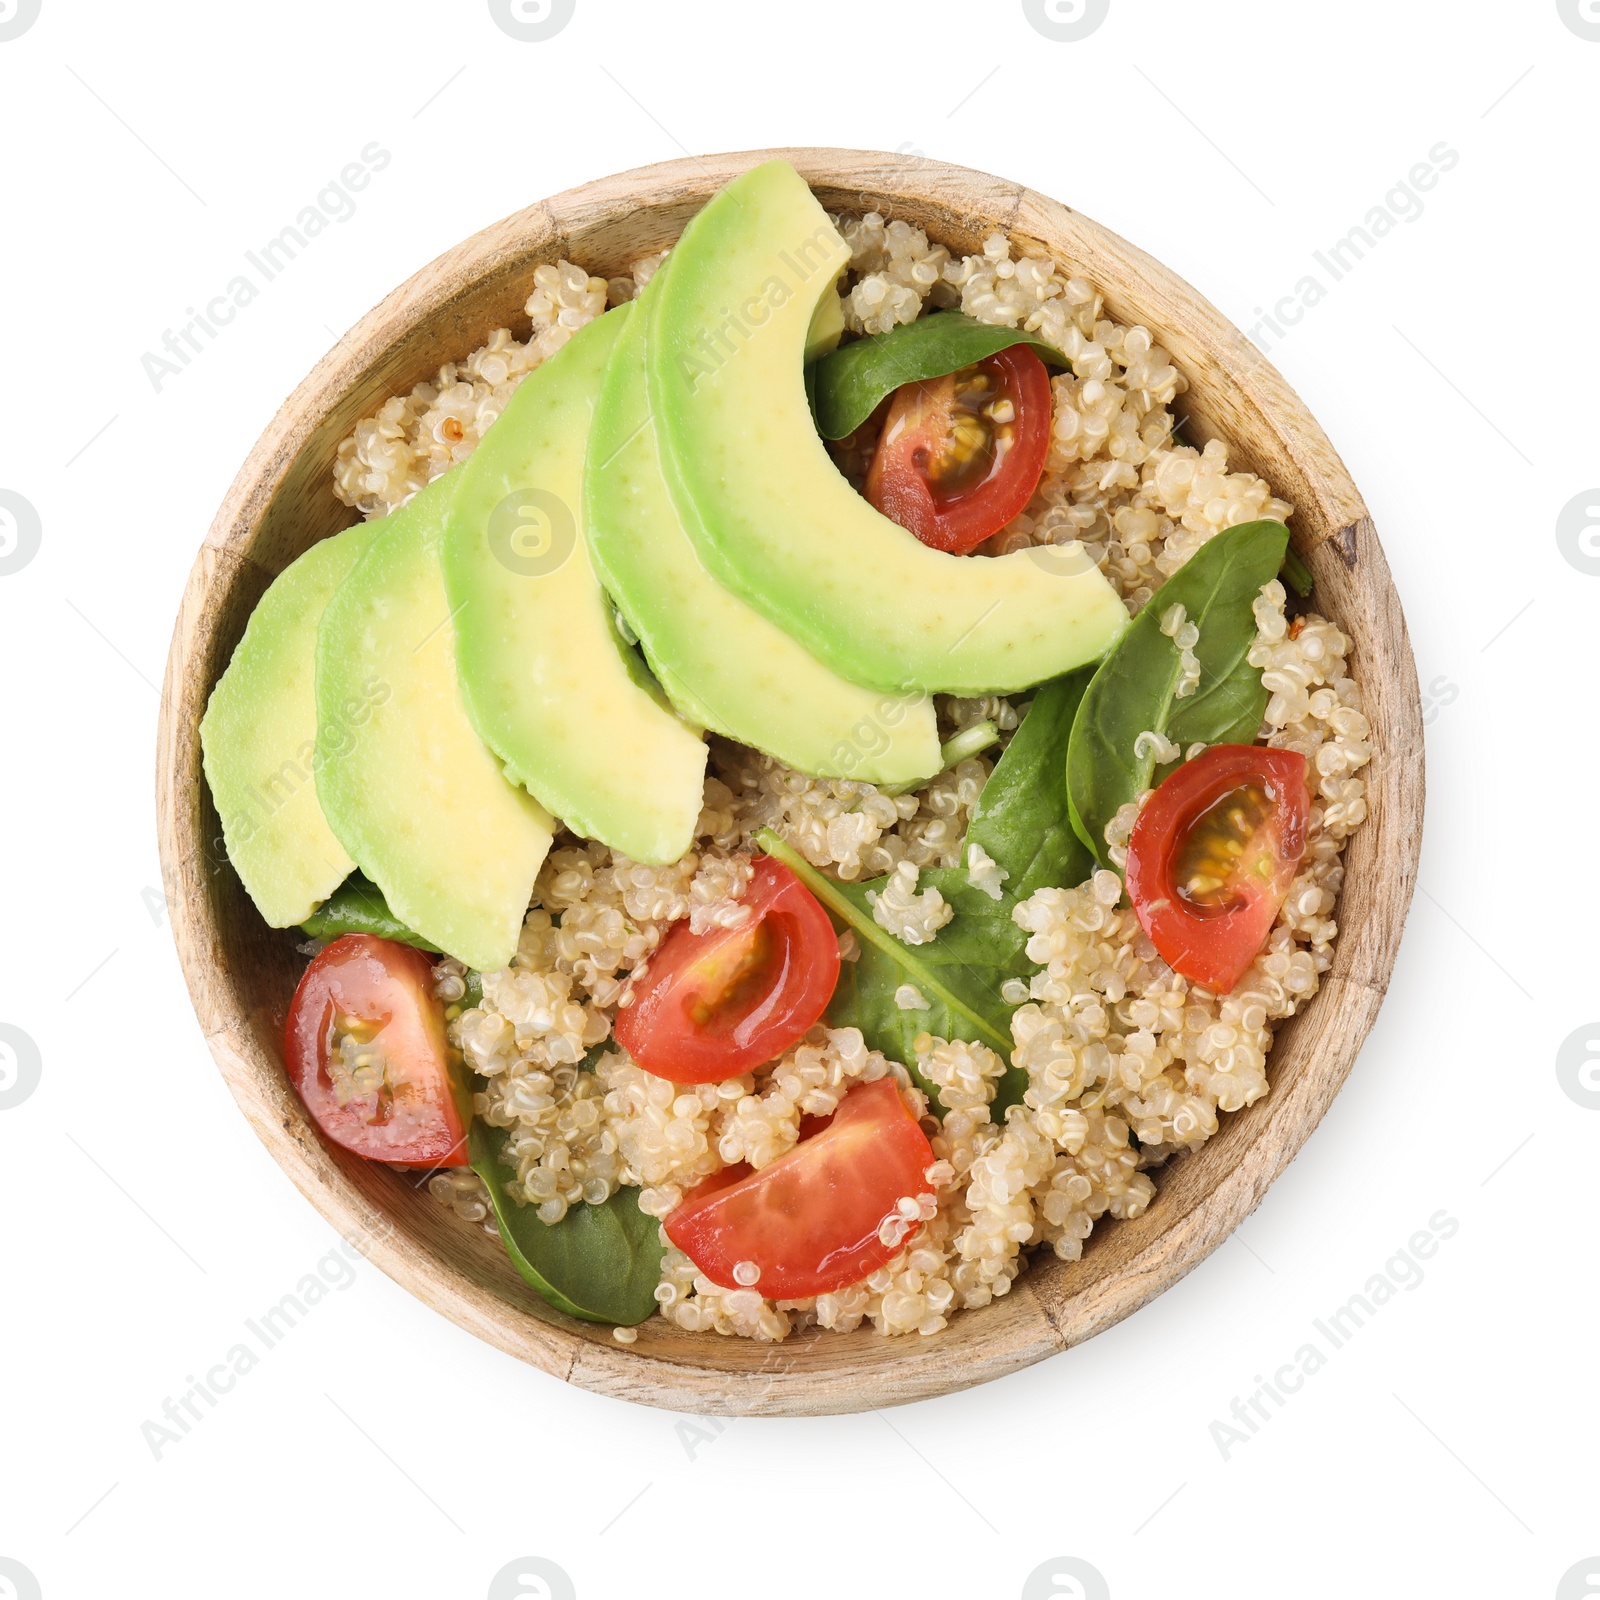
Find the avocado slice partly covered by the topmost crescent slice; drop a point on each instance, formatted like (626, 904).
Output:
(722, 663)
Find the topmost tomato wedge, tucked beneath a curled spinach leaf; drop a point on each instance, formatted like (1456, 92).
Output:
(961, 457)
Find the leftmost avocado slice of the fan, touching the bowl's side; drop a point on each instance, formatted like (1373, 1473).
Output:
(258, 742)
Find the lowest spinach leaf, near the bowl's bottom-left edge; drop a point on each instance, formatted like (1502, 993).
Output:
(601, 1262)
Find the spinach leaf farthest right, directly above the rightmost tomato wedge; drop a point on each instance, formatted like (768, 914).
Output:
(1135, 689)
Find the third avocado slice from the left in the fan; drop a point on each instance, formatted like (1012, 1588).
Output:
(548, 682)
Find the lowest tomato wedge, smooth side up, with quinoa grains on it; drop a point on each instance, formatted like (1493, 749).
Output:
(810, 1220)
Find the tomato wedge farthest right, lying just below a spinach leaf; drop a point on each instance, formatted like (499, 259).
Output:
(1212, 857)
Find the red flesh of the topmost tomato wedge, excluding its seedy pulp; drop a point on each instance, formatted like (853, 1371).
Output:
(918, 431)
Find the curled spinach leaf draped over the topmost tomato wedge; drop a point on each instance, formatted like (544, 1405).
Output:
(849, 385)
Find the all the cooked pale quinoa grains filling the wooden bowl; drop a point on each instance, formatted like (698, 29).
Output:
(1127, 1062)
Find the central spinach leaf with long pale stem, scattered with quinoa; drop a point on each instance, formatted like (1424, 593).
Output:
(1022, 823)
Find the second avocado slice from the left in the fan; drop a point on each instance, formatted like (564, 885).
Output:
(406, 783)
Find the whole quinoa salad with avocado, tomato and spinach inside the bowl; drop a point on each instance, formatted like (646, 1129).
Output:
(802, 790)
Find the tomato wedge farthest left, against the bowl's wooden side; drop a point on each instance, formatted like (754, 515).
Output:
(367, 1052)
